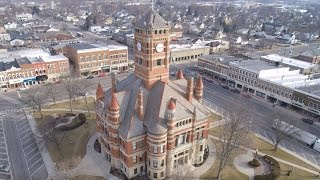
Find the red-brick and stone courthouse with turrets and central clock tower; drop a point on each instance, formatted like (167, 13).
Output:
(146, 122)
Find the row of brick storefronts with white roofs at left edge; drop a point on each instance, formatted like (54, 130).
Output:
(31, 66)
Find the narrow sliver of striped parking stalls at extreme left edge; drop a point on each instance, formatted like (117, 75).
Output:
(4, 158)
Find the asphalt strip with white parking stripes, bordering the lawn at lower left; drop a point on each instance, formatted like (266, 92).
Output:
(26, 160)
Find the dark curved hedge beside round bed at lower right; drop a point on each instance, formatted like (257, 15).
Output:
(275, 170)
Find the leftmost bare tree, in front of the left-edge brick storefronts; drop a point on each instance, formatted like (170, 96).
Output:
(35, 99)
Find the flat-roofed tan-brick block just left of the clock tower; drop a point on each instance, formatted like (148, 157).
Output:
(94, 59)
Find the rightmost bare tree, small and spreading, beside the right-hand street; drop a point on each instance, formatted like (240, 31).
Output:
(280, 130)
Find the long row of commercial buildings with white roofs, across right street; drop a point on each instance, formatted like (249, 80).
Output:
(274, 82)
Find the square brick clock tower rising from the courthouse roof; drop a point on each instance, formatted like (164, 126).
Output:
(152, 49)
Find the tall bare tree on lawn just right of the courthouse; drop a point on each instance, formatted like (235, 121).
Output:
(232, 135)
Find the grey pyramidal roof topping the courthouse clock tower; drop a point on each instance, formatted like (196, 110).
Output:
(152, 19)
